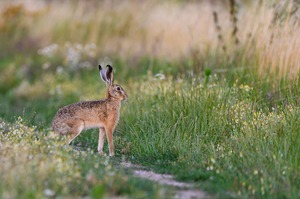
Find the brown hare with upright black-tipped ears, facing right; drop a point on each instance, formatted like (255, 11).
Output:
(103, 114)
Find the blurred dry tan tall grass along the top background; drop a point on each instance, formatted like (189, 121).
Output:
(268, 41)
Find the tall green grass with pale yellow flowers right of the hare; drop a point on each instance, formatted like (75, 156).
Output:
(221, 137)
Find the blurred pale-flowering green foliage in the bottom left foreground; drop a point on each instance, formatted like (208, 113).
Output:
(39, 164)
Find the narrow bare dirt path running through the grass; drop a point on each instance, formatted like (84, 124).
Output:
(183, 190)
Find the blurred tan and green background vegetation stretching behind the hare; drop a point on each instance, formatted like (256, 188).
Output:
(45, 40)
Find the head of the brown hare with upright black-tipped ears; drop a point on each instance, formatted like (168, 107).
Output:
(113, 90)
